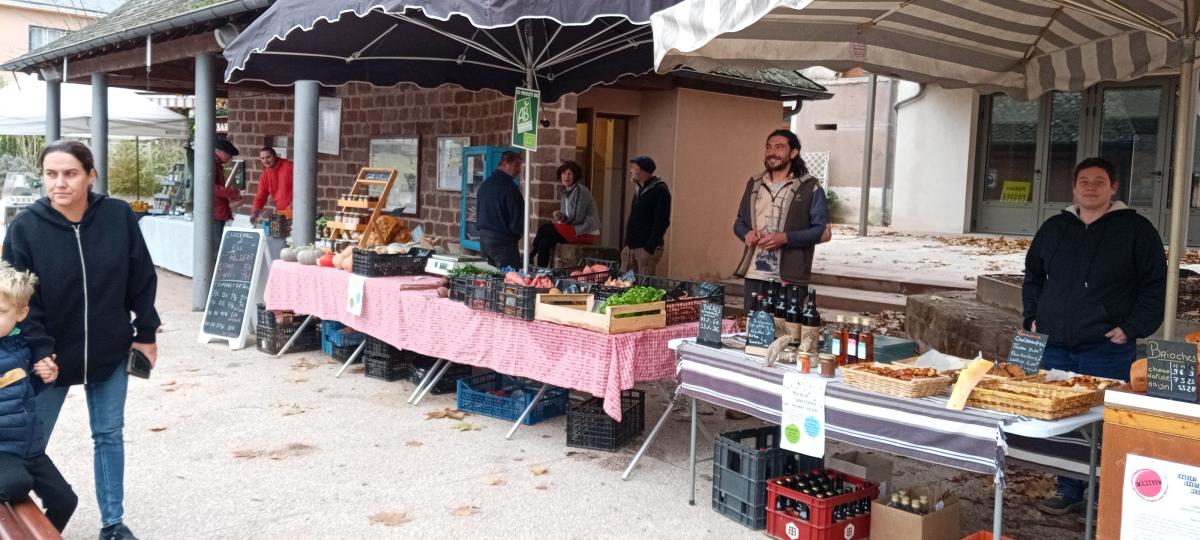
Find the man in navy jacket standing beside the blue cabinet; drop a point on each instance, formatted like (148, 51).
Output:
(501, 214)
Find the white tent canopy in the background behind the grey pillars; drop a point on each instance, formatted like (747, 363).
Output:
(23, 112)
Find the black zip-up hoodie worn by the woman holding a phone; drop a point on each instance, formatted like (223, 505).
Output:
(92, 275)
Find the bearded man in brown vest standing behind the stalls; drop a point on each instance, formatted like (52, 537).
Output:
(782, 219)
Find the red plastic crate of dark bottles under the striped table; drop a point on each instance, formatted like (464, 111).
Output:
(820, 524)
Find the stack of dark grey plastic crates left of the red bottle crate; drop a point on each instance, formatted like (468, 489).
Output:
(742, 464)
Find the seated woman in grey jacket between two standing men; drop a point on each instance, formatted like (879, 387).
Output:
(577, 220)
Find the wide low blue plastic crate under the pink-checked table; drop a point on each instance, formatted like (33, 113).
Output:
(473, 397)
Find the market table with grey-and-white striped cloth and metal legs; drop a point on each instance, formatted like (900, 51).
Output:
(921, 429)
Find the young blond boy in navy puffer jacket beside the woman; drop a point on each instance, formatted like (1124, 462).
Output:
(23, 465)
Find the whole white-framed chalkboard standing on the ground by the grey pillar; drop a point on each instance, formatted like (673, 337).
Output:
(235, 283)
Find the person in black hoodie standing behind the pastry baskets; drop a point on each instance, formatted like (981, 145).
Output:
(1095, 283)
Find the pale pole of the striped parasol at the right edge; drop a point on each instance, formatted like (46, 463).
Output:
(1185, 135)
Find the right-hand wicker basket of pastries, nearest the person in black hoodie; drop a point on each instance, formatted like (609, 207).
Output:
(1034, 400)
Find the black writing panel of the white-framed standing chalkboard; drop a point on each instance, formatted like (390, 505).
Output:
(232, 284)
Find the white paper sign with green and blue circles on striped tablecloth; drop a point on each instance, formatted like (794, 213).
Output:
(803, 415)
